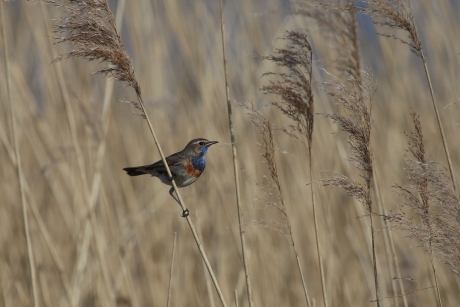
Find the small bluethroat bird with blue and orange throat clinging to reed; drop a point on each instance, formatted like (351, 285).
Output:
(186, 166)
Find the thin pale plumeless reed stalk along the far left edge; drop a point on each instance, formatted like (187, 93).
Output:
(25, 218)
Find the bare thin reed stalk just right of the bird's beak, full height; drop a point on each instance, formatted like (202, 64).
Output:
(235, 164)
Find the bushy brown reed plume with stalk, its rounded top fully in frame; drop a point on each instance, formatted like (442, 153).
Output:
(294, 89)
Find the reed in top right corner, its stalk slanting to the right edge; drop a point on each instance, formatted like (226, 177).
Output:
(397, 14)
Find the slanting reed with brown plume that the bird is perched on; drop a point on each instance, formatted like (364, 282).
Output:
(91, 29)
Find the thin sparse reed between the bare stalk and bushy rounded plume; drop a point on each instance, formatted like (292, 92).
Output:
(274, 188)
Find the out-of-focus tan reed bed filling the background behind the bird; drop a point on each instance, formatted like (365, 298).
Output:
(176, 50)
